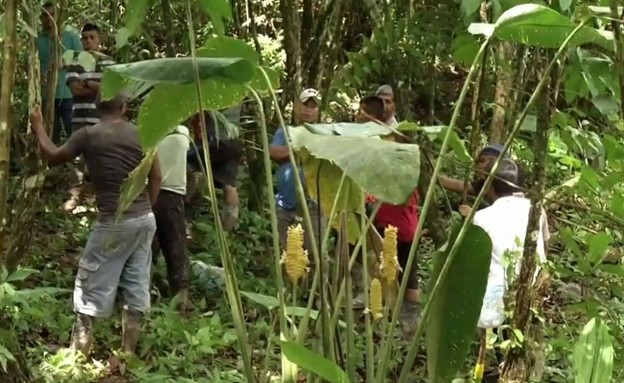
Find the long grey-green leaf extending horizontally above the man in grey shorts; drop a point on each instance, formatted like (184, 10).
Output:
(180, 70)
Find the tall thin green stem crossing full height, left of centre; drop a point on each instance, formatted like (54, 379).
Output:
(230, 274)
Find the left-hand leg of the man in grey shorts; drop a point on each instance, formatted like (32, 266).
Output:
(97, 280)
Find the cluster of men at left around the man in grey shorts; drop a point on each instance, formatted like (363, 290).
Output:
(119, 254)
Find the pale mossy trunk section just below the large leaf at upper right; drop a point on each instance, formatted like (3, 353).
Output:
(504, 82)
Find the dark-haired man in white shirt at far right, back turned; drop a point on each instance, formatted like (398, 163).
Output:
(505, 221)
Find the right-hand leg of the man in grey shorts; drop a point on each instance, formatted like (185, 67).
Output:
(134, 283)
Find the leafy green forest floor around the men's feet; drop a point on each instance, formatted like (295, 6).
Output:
(201, 347)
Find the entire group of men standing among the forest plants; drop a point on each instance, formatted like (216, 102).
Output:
(119, 253)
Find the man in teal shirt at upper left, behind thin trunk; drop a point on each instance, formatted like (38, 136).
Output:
(63, 104)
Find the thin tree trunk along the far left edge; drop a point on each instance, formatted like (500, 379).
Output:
(6, 110)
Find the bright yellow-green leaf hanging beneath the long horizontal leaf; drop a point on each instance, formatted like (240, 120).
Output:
(168, 105)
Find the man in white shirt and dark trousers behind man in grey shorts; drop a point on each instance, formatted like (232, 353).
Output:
(169, 210)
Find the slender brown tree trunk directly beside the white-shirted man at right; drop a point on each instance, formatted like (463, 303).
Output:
(516, 367)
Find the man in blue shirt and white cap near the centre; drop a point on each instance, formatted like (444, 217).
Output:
(288, 210)
